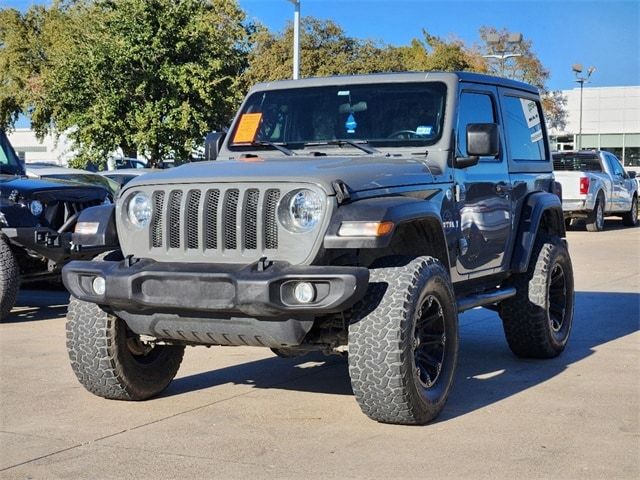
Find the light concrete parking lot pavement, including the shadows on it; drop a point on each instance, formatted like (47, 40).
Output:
(243, 413)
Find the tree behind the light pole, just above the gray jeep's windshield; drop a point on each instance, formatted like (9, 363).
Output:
(325, 50)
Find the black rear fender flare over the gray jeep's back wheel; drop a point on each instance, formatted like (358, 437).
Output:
(541, 212)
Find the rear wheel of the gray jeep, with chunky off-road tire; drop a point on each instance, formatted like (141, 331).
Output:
(530, 326)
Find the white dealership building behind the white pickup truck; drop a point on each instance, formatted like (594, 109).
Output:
(610, 121)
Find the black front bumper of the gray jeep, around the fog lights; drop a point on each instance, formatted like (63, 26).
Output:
(146, 286)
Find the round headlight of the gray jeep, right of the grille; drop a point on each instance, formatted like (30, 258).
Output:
(300, 210)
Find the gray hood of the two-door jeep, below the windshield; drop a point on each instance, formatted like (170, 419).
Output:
(370, 172)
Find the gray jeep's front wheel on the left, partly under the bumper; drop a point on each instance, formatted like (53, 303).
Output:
(111, 361)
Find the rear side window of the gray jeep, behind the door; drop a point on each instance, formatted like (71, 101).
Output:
(524, 129)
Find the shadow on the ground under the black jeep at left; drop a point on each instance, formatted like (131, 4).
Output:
(37, 305)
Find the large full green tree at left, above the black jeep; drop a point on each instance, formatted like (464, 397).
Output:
(151, 76)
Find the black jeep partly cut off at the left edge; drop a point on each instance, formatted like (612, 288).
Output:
(36, 218)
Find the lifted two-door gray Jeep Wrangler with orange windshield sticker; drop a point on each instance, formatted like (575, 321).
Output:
(356, 215)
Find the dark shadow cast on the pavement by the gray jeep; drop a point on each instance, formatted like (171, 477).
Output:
(487, 371)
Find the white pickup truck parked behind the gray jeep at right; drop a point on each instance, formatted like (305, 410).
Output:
(595, 185)
